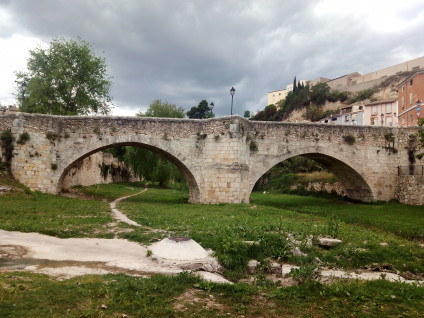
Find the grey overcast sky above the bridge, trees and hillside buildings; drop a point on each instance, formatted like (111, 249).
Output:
(188, 50)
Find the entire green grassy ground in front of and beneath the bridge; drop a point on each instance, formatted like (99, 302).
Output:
(225, 228)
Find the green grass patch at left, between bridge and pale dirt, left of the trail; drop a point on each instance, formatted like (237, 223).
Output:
(54, 215)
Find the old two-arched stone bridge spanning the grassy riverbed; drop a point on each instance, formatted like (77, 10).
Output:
(221, 158)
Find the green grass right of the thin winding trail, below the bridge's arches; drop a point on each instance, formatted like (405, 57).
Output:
(225, 228)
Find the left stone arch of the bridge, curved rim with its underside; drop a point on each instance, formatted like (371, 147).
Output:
(194, 192)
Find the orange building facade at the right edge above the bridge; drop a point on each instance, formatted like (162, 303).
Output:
(410, 99)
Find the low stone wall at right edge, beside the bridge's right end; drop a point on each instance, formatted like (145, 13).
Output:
(410, 190)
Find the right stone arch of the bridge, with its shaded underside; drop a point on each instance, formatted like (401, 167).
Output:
(352, 178)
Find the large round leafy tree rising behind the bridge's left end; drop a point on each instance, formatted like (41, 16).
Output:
(71, 75)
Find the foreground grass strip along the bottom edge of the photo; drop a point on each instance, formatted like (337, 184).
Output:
(35, 295)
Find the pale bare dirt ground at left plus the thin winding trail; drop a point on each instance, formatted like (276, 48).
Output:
(65, 258)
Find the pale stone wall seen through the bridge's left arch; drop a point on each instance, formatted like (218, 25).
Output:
(88, 171)
